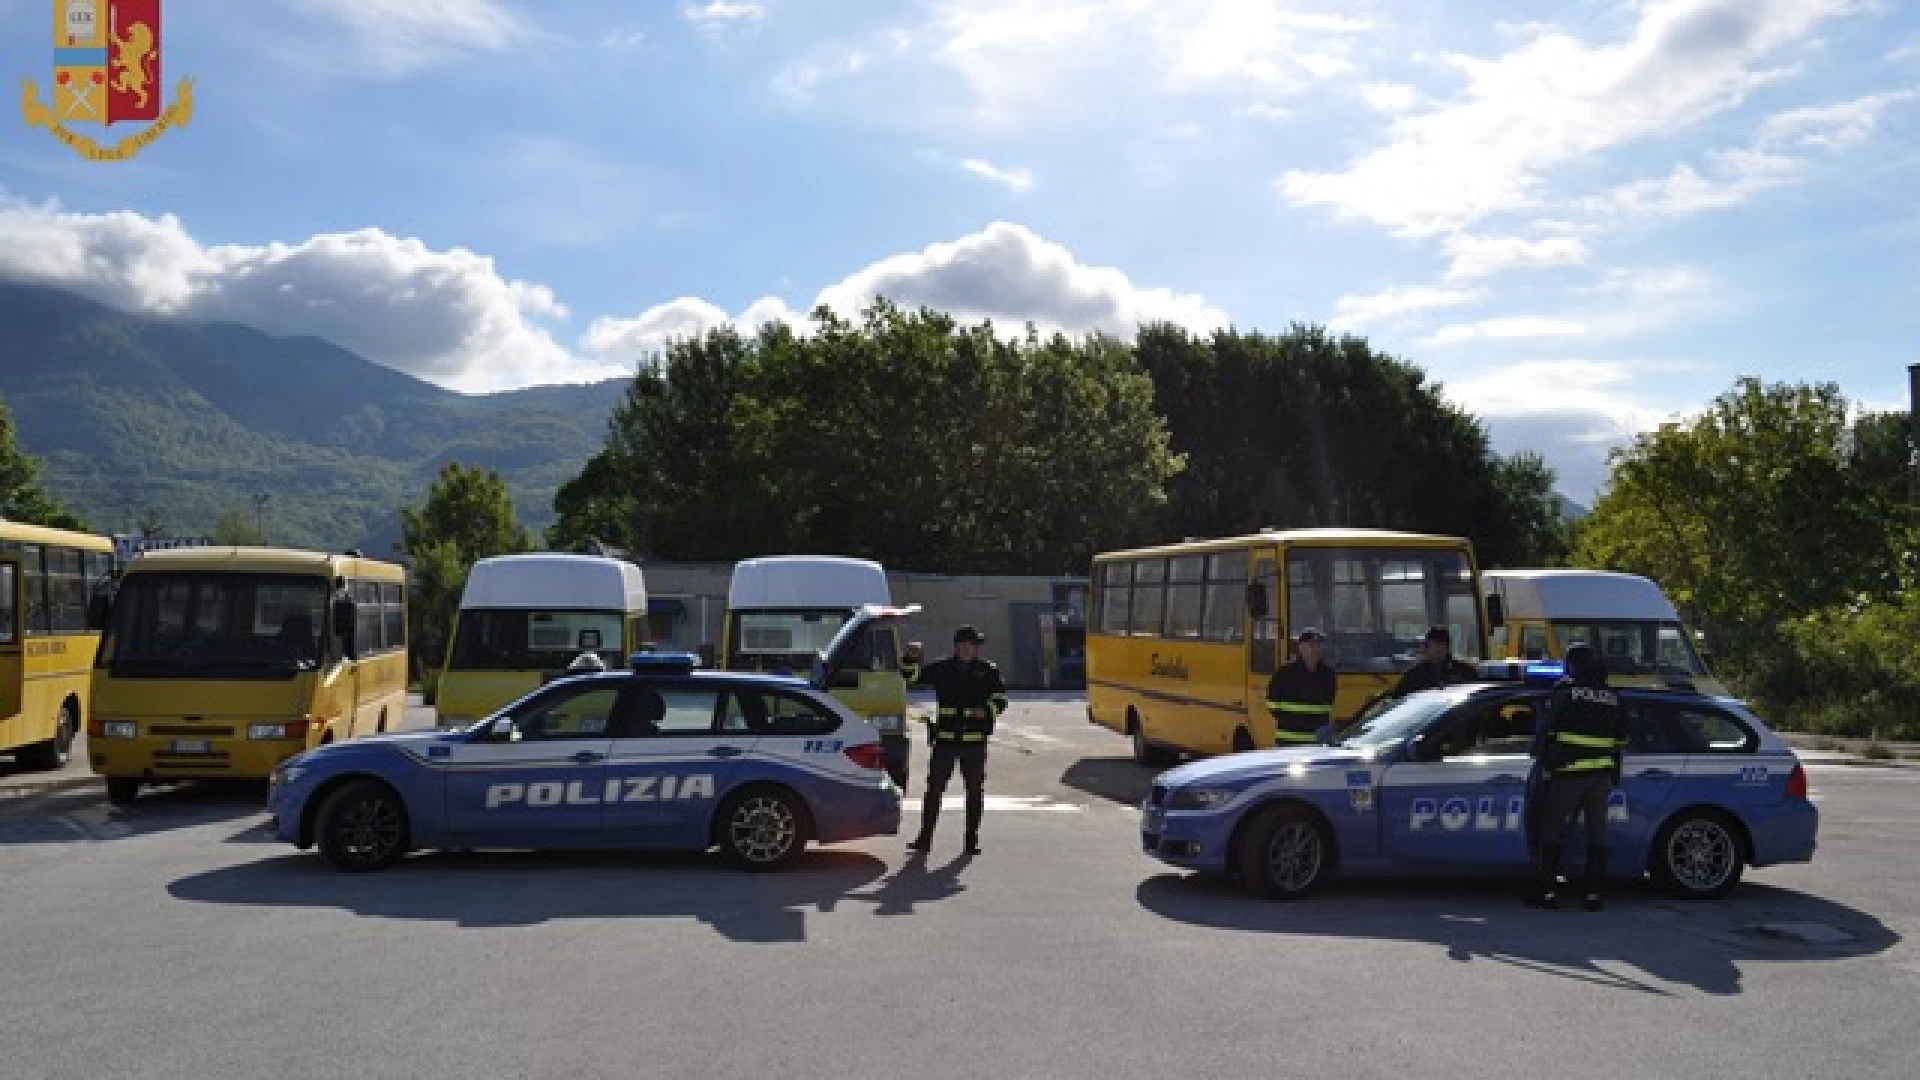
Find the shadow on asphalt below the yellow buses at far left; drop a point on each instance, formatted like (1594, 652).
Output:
(85, 816)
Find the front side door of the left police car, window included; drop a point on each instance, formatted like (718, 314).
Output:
(537, 775)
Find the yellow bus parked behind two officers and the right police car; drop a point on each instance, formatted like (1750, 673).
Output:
(1186, 637)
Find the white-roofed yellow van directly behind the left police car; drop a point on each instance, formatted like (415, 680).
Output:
(525, 618)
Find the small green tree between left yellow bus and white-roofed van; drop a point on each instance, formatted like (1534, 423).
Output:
(468, 518)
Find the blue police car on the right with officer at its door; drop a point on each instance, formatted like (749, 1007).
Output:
(1439, 783)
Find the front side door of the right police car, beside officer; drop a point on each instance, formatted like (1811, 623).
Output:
(1458, 797)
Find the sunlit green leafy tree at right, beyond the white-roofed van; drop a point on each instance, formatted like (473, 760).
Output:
(1750, 512)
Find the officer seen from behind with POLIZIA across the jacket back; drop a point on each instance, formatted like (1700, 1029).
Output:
(1577, 752)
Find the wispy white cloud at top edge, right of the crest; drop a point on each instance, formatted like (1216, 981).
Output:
(402, 37)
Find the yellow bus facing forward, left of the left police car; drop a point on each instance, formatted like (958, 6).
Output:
(226, 662)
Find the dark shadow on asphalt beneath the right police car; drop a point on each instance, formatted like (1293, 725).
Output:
(1483, 921)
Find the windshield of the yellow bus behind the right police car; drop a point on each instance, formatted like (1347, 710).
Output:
(1376, 604)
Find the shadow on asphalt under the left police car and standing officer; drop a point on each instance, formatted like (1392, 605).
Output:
(525, 889)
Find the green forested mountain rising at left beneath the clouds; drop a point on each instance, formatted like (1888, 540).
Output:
(178, 422)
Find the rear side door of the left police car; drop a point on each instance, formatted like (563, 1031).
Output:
(684, 745)
